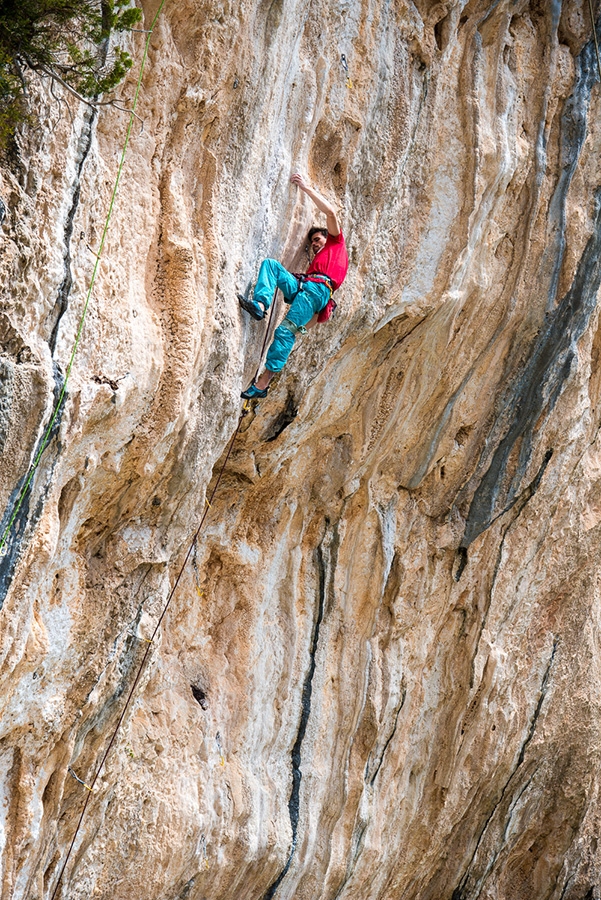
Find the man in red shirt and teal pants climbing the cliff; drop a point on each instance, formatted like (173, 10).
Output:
(309, 295)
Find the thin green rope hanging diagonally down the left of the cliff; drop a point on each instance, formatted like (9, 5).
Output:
(61, 397)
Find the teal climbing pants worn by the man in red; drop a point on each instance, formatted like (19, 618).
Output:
(304, 304)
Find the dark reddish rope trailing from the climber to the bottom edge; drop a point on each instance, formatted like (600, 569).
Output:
(190, 552)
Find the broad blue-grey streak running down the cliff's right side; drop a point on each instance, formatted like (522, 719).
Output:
(542, 379)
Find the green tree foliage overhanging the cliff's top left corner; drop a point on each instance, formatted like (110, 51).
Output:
(65, 40)
